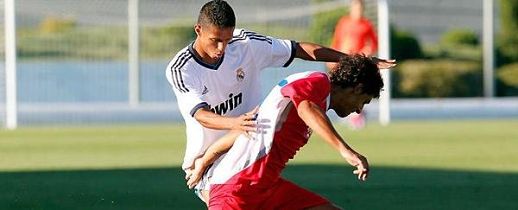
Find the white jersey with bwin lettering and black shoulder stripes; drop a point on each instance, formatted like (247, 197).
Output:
(230, 87)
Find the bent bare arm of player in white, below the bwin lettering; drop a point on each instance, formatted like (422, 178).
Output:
(209, 119)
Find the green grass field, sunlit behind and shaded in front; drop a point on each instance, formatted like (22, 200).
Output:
(414, 165)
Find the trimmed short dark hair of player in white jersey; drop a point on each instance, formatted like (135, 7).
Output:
(217, 13)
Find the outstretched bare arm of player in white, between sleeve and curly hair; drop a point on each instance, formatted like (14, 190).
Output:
(315, 52)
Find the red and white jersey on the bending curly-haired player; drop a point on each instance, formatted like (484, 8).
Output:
(259, 159)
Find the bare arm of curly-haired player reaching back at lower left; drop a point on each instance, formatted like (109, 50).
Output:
(220, 147)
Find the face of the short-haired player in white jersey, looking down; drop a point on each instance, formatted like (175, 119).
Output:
(212, 41)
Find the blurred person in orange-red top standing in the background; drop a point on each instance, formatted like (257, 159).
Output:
(354, 34)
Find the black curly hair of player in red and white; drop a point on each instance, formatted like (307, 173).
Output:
(358, 69)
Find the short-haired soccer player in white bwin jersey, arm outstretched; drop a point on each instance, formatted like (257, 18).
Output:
(216, 78)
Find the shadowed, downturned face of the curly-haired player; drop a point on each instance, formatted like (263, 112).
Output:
(351, 101)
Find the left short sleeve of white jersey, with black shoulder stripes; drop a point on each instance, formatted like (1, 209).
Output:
(187, 87)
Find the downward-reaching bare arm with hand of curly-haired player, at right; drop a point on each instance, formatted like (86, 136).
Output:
(318, 121)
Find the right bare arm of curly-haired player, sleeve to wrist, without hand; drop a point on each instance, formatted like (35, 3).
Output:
(318, 121)
